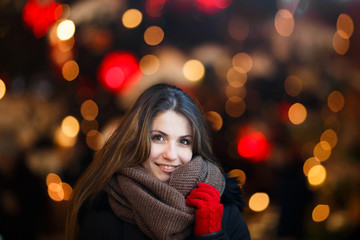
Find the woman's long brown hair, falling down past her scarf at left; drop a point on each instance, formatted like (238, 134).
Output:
(129, 145)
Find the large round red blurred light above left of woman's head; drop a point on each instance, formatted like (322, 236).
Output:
(118, 71)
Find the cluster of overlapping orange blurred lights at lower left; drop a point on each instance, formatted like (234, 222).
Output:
(58, 190)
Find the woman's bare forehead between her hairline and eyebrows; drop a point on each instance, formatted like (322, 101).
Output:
(171, 122)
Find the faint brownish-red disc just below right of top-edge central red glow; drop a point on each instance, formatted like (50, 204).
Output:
(238, 28)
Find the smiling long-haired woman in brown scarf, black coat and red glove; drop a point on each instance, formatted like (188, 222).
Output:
(156, 178)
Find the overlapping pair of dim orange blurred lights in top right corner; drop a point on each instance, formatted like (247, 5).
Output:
(345, 29)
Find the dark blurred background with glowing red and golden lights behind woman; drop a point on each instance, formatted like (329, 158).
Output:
(278, 81)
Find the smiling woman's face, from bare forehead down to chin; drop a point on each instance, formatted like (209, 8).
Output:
(171, 144)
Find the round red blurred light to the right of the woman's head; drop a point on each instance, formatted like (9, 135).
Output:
(254, 146)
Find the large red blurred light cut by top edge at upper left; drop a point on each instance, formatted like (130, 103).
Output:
(40, 15)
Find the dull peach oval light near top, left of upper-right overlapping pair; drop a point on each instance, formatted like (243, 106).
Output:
(284, 22)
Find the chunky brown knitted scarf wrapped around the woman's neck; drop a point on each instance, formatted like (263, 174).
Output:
(156, 207)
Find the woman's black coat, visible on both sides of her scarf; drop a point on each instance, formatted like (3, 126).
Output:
(98, 221)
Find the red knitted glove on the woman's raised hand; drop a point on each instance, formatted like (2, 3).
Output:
(209, 210)
